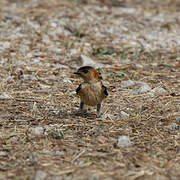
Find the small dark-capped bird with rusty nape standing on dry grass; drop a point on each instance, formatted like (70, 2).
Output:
(92, 91)
